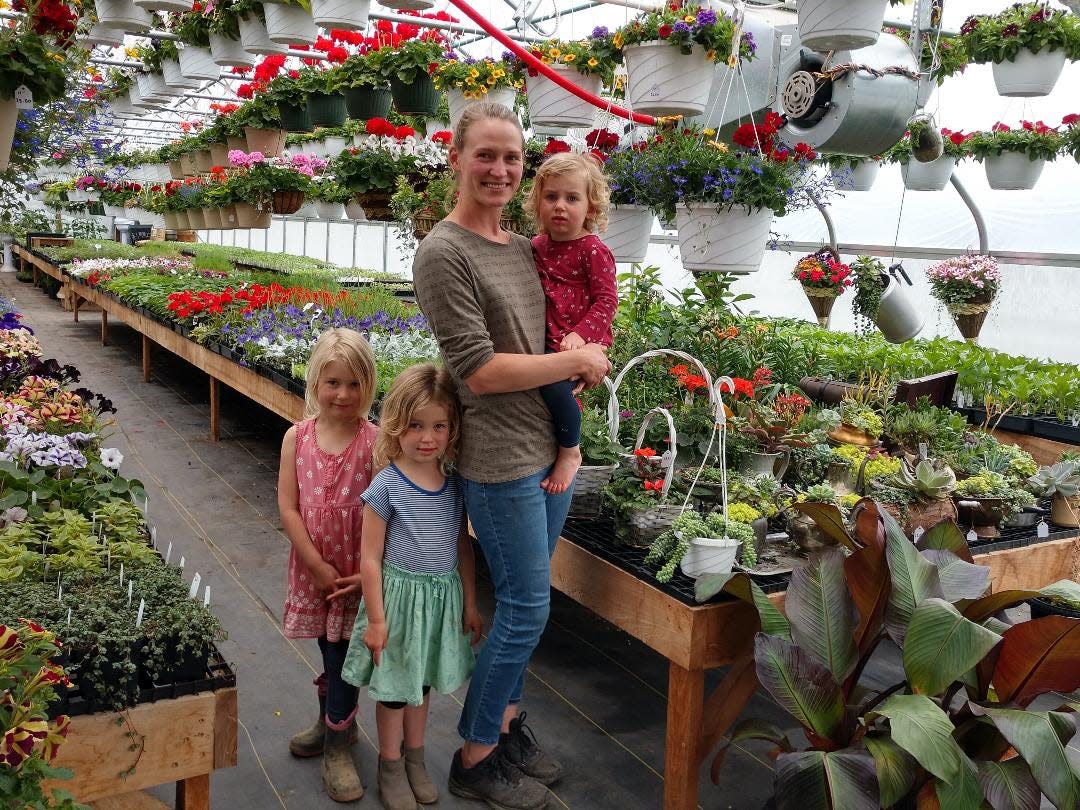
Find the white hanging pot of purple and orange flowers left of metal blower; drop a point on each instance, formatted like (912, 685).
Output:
(670, 57)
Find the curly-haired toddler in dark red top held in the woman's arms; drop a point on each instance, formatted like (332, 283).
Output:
(569, 202)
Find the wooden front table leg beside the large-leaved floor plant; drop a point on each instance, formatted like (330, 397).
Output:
(686, 699)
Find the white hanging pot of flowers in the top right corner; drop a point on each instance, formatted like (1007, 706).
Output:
(1028, 44)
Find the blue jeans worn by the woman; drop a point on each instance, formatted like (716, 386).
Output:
(518, 525)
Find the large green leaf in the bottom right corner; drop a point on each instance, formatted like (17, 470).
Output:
(1041, 738)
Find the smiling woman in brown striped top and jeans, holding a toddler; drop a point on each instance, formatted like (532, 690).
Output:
(479, 289)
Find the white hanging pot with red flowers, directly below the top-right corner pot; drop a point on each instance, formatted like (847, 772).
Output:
(1015, 159)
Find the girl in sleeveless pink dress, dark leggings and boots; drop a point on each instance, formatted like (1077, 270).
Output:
(326, 468)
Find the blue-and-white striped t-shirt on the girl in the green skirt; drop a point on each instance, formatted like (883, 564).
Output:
(423, 526)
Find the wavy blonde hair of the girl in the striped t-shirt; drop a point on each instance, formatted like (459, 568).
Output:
(416, 388)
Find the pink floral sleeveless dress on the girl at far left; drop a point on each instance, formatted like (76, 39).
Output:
(333, 514)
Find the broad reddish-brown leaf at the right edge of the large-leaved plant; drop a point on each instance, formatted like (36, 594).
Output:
(1038, 657)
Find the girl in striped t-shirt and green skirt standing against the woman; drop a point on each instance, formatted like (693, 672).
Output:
(417, 576)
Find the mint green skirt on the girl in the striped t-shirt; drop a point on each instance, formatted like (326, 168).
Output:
(426, 644)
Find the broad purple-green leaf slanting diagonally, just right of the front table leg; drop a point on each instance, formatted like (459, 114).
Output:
(802, 685)
